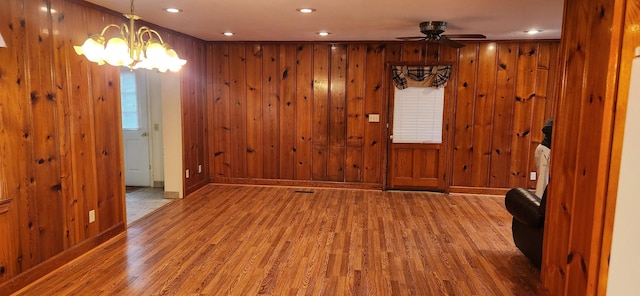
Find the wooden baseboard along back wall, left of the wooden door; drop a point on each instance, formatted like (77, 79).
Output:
(299, 183)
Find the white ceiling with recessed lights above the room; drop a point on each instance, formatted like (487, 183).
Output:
(346, 20)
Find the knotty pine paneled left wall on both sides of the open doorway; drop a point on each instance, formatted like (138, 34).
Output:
(61, 149)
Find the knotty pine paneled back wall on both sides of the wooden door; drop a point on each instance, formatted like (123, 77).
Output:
(295, 112)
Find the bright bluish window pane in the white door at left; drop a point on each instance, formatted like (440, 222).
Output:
(129, 100)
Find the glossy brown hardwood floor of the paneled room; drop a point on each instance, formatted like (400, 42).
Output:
(252, 240)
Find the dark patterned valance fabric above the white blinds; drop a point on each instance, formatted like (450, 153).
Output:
(423, 76)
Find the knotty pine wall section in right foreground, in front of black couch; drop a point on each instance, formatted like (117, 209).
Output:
(599, 38)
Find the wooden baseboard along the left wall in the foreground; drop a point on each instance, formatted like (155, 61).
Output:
(33, 274)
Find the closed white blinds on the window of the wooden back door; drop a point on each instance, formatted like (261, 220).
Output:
(417, 115)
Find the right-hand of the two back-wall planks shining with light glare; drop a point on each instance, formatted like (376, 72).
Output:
(337, 112)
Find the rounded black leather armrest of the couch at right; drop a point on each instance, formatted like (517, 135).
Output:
(524, 206)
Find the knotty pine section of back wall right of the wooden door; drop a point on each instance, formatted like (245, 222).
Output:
(504, 95)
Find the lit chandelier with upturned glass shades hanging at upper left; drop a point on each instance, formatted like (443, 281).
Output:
(136, 49)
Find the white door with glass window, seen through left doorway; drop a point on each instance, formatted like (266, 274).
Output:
(135, 128)
